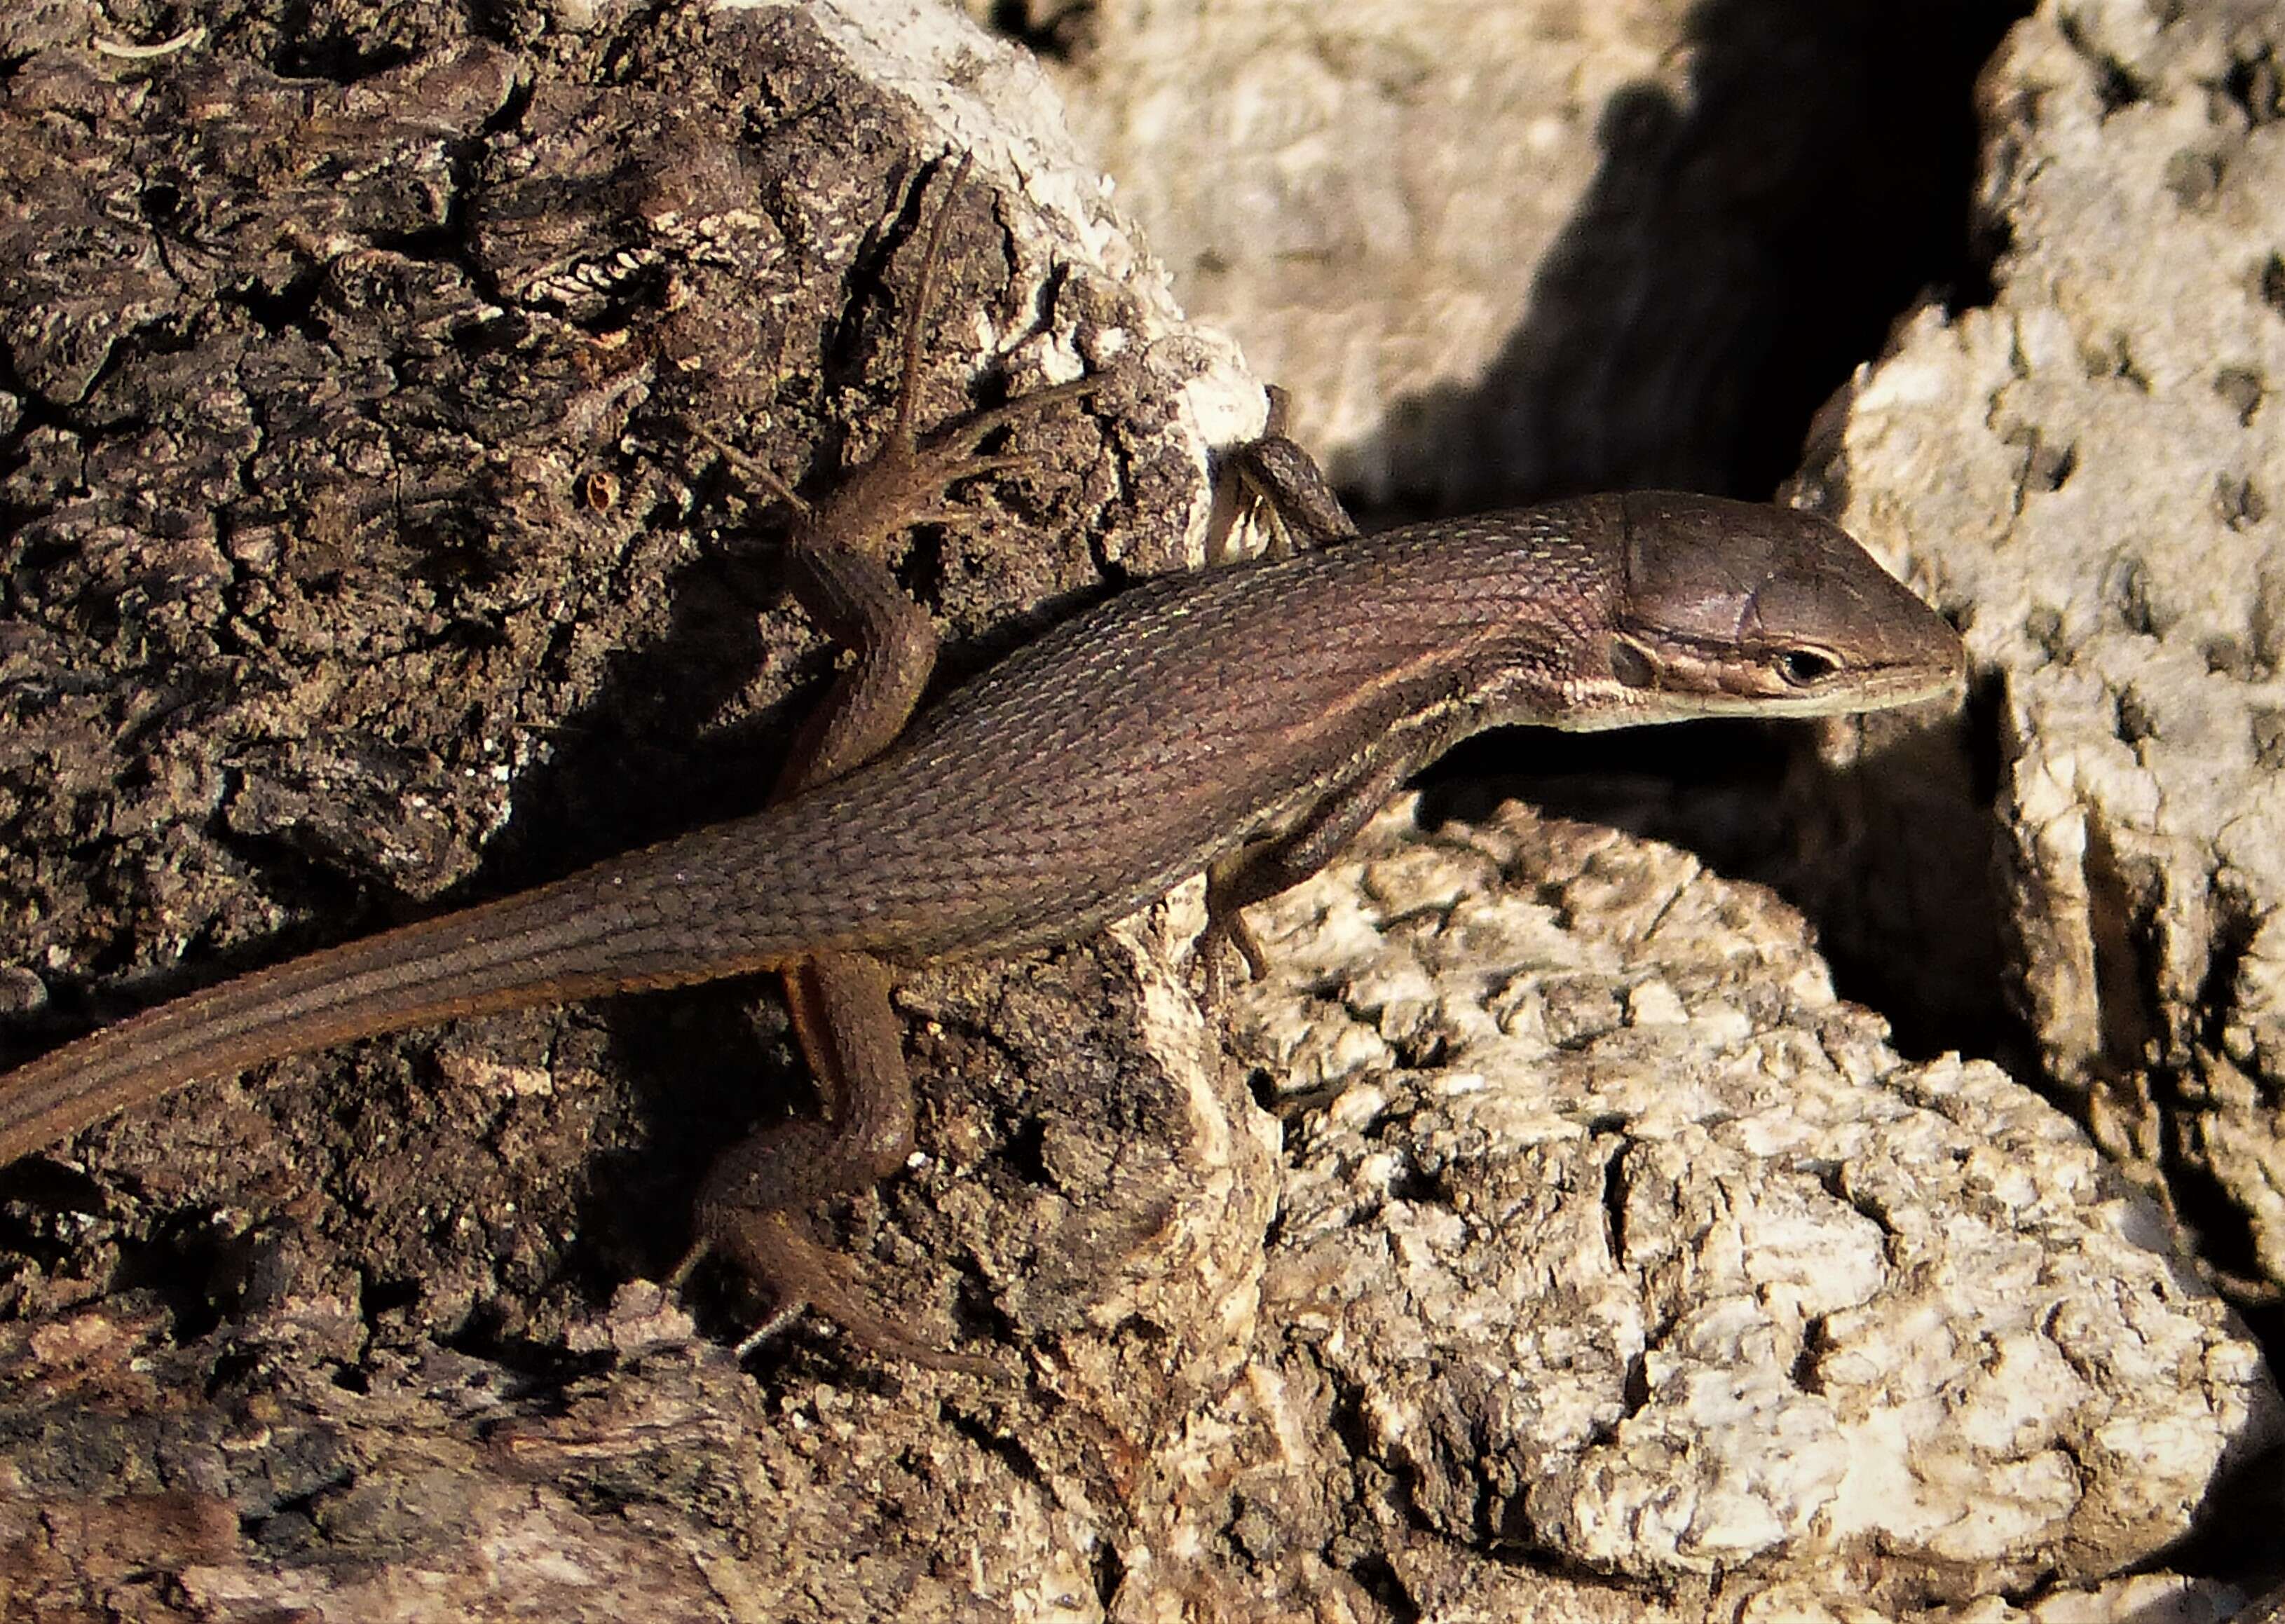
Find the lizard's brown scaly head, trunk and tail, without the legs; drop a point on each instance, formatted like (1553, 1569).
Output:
(1105, 762)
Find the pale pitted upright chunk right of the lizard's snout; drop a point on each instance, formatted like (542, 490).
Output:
(2090, 474)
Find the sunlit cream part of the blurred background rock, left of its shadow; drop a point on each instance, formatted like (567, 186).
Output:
(1361, 195)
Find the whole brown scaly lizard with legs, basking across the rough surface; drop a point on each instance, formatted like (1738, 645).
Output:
(1240, 721)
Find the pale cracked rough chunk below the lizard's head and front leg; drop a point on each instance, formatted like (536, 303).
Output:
(1646, 1253)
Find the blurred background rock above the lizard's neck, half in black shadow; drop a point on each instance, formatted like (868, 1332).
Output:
(1525, 248)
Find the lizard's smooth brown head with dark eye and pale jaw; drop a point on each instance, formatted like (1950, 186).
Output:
(1765, 611)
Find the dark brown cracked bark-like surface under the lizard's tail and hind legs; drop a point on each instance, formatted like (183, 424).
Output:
(358, 563)
